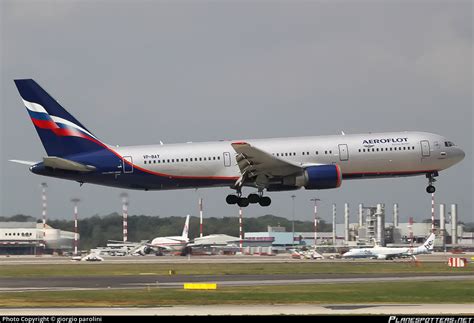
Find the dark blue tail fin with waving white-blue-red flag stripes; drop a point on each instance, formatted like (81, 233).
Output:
(61, 134)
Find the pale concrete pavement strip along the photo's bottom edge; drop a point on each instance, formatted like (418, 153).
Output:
(429, 310)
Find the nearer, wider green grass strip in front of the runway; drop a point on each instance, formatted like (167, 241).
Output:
(359, 293)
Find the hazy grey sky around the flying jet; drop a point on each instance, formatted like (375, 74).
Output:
(137, 72)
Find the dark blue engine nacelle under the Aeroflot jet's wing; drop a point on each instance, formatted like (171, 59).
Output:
(322, 177)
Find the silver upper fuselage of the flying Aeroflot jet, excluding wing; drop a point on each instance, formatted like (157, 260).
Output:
(358, 155)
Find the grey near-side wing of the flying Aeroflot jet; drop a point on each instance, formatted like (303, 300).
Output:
(253, 161)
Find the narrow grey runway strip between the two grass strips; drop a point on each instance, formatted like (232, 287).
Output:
(143, 281)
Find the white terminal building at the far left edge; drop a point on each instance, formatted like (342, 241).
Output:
(29, 238)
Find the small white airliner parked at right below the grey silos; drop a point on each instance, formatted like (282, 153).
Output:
(379, 252)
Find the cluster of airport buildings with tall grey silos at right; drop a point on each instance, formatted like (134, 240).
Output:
(372, 228)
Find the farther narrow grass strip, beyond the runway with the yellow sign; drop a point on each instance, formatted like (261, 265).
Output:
(104, 269)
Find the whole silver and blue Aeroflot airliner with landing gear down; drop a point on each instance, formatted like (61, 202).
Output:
(279, 164)
